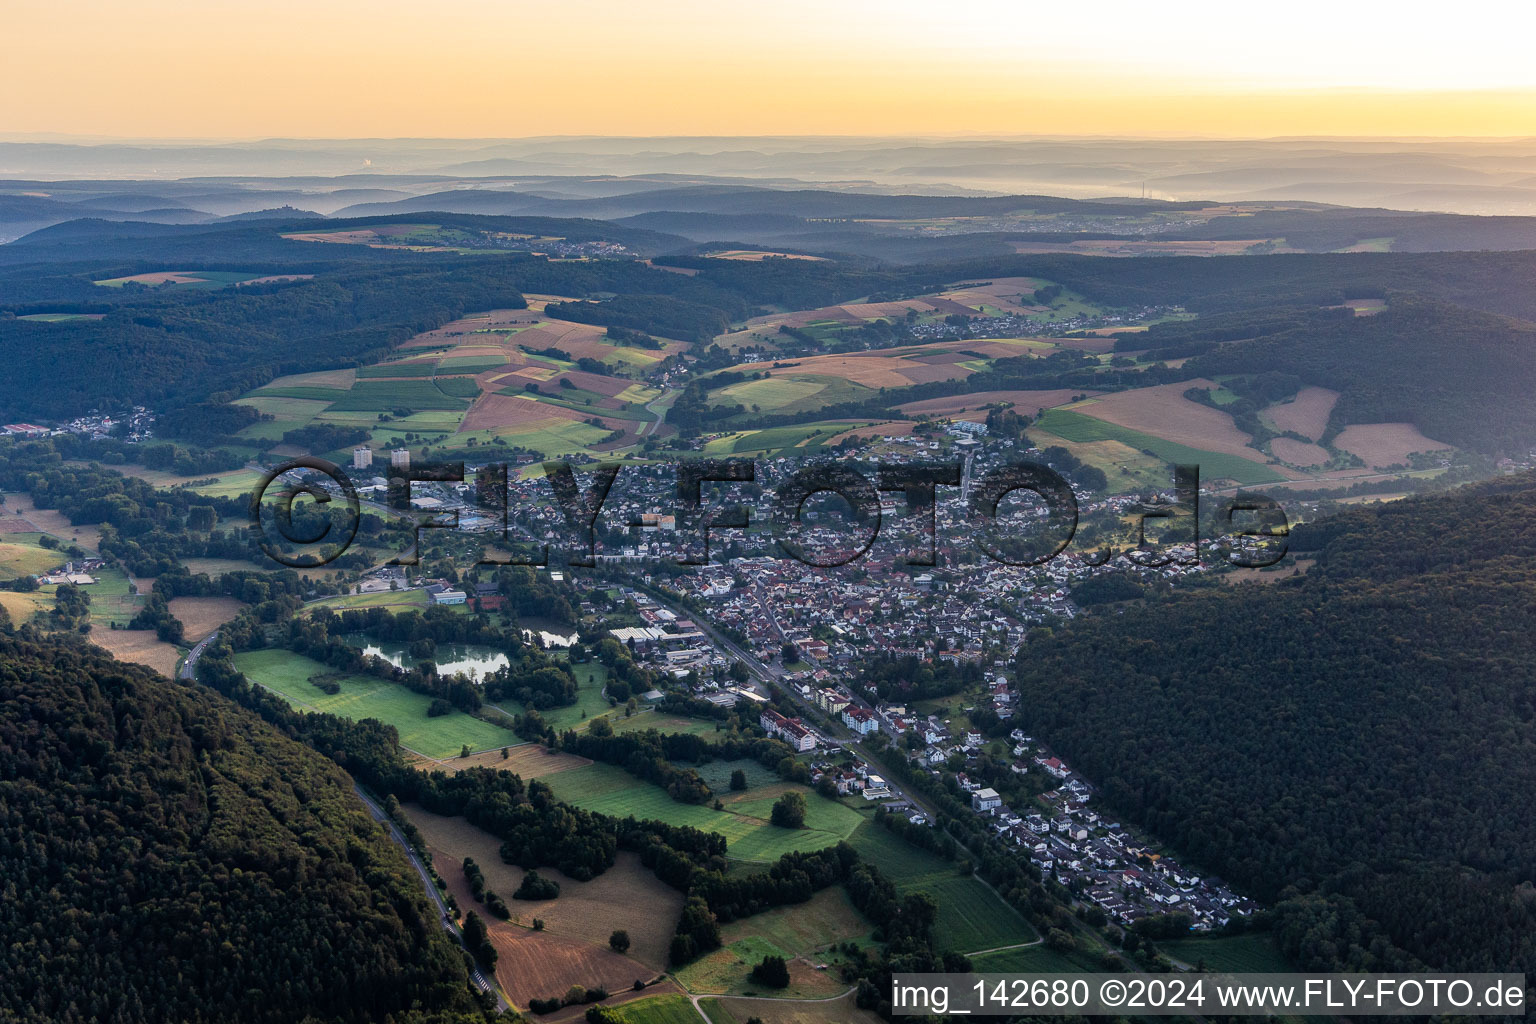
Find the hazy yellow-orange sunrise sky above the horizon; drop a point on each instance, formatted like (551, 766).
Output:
(506, 68)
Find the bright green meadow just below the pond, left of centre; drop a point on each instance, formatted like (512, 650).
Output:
(288, 675)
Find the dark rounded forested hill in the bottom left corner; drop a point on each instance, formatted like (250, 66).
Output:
(170, 857)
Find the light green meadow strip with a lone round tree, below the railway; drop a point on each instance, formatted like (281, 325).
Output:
(744, 822)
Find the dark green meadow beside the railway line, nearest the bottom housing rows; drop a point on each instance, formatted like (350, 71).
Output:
(972, 917)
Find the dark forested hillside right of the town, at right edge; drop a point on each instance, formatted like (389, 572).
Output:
(1359, 744)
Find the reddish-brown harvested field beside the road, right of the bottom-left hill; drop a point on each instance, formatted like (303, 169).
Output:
(627, 896)
